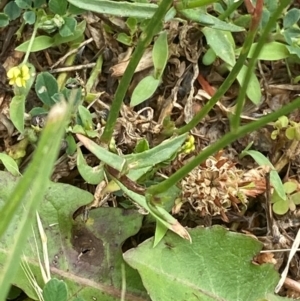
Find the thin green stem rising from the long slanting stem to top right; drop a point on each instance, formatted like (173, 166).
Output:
(235, 122)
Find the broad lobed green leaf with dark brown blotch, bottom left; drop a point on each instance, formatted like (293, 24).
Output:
(87, 256)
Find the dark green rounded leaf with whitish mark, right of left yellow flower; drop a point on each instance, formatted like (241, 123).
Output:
(46, 86)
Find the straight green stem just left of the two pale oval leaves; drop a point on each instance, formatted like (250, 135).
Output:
(145, 40)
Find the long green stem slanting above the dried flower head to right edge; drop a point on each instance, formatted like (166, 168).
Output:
(223, 142)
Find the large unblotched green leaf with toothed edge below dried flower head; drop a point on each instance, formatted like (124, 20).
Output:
(216, 266)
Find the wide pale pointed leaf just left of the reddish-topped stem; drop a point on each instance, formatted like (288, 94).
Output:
(221, 44)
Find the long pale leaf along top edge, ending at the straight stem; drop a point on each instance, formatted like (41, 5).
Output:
(119, 8)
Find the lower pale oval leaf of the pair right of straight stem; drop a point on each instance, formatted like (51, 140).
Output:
(144, 90)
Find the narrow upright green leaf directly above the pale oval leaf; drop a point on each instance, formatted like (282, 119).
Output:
(160, 54)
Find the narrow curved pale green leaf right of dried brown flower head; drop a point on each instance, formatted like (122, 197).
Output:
(274, 176)
